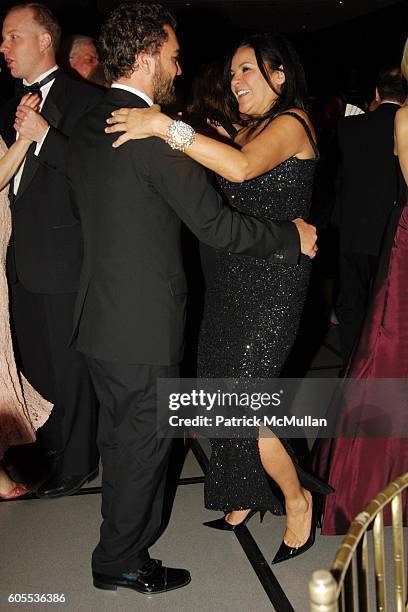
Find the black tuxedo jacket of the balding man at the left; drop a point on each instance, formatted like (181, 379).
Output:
(45, 252)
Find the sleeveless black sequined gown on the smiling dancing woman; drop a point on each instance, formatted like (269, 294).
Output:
(251, 317)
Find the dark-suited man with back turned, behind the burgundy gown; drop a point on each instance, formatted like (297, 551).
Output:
(368, 190)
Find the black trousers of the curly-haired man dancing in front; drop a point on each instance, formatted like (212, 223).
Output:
(134, 460)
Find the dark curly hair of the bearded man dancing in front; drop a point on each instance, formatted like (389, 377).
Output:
(130, 29)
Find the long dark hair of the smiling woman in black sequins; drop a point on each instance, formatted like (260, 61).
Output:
(271, 52)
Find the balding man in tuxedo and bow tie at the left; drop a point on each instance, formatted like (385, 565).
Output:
(45, 253)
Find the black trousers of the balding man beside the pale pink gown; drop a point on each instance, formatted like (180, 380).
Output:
(41, 329)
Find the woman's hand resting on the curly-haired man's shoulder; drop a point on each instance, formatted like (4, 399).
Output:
(136, 123)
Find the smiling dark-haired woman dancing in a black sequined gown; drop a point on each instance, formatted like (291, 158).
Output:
(253, 306)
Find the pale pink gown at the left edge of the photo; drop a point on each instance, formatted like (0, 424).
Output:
(22, 409)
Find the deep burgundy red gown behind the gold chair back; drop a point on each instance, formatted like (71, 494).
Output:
(359, 468)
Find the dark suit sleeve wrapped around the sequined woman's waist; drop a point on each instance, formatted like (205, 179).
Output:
(184, 186)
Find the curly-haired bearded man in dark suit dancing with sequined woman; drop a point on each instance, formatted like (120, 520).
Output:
(129, 319)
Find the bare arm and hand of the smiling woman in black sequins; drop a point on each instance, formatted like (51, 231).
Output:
(282, 139)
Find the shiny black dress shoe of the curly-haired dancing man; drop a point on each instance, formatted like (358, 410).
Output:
(149, 579)
